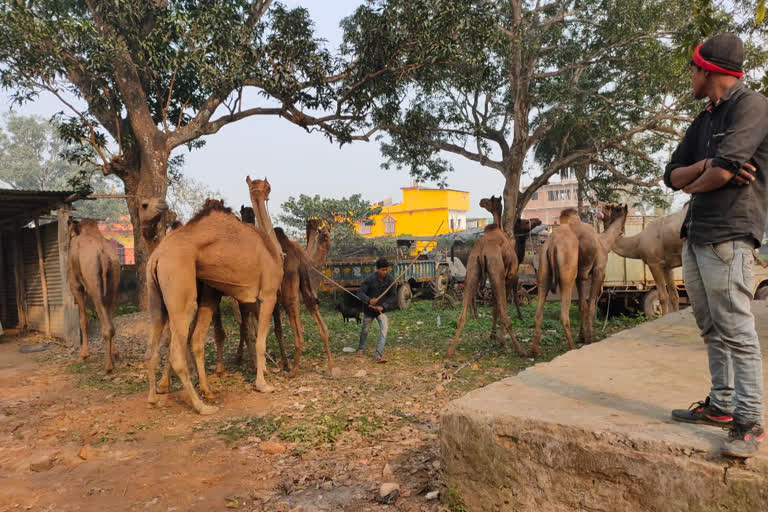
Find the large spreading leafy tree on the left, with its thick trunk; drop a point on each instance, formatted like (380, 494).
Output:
(140, 78)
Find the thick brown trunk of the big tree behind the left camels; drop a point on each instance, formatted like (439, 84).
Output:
(151, 181)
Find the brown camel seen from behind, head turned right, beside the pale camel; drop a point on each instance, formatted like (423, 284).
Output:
(575, 254)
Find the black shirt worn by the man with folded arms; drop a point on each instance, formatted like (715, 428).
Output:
(731, 133)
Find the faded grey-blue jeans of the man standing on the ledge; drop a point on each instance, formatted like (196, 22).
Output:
(719, 282)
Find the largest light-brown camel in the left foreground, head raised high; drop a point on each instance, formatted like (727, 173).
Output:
(232, 259)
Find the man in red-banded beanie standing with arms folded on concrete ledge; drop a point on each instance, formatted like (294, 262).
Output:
(722, 162)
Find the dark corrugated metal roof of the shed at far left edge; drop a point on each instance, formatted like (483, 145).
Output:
(19, 207)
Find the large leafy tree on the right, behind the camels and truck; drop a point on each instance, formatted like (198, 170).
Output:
(542, 88)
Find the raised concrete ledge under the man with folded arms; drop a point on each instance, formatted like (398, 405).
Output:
(590, 430)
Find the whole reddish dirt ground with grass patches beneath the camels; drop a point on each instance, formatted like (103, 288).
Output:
(72, 438)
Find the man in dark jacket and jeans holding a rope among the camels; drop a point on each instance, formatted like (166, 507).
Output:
(373, 307)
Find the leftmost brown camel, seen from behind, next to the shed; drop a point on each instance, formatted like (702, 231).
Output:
(94, 269)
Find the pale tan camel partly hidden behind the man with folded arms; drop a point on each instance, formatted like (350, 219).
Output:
(660, 247)
